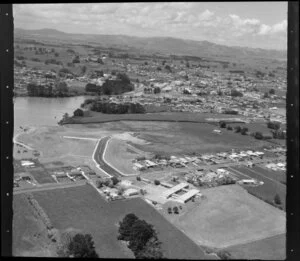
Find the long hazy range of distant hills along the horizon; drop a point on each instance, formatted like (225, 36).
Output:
(166, 45)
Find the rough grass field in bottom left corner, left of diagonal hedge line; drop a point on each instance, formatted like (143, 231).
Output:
(29, 233)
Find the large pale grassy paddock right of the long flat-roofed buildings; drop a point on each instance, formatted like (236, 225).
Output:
(230, 216)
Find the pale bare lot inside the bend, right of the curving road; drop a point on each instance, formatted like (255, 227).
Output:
(118, 156)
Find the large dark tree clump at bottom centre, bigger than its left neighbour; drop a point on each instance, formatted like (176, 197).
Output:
(141, 237)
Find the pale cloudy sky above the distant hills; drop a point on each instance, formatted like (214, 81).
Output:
(248, 24)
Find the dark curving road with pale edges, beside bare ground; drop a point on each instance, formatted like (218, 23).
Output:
(98, 157)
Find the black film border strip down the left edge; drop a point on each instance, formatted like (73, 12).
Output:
(7, 121)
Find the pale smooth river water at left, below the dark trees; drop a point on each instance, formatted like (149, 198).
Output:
(37, 111)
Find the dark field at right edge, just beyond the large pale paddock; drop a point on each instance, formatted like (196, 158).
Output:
(268, 190)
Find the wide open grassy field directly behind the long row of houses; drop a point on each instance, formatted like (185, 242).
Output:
(178, 138)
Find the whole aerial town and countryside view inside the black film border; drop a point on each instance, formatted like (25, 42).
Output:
(150, 130)
